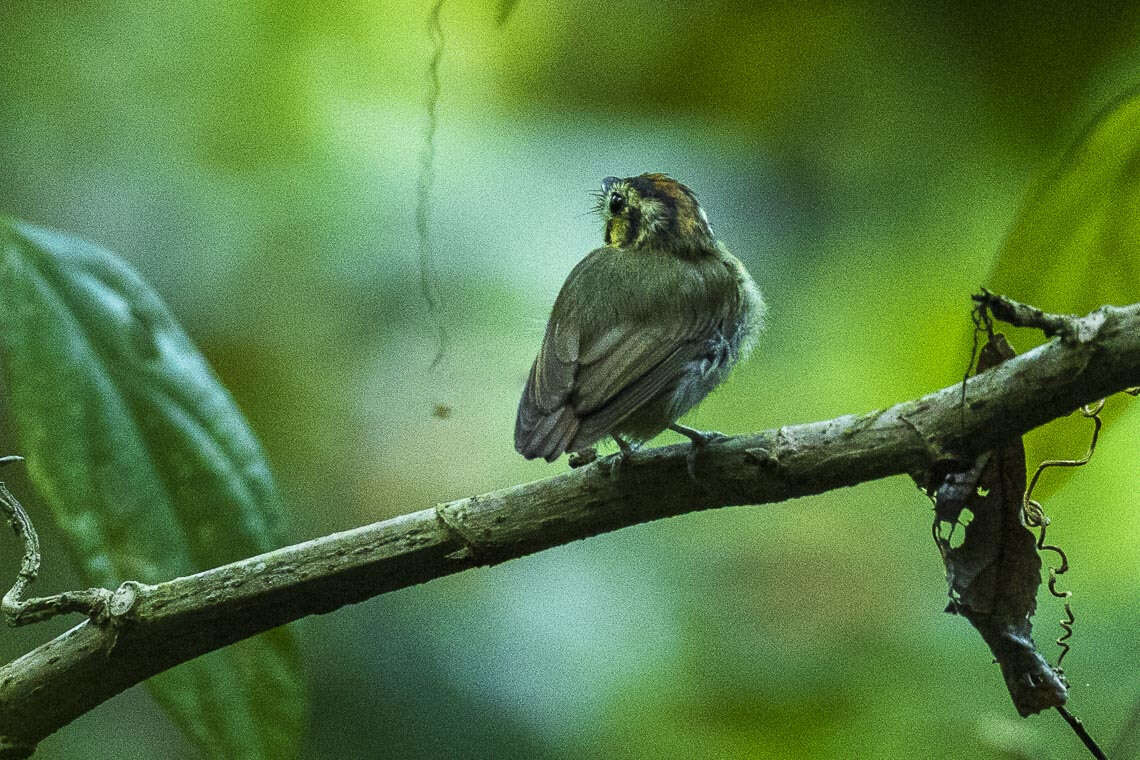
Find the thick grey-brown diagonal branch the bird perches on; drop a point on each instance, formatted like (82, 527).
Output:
(151, 628)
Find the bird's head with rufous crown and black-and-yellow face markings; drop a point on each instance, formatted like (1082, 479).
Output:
(654, 211)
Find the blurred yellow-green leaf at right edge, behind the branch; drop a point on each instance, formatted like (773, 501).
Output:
(1074, 247)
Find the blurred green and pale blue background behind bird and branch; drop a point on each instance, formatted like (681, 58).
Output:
(257, 162)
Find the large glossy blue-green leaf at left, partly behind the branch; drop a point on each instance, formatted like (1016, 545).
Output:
(146, 464)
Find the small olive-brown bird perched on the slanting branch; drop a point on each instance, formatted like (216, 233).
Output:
(642, 330)
